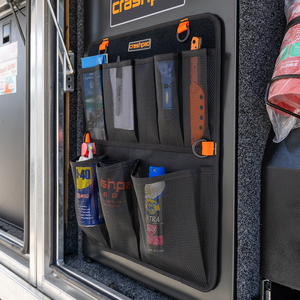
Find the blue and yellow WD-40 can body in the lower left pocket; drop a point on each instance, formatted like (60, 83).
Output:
(89, 210)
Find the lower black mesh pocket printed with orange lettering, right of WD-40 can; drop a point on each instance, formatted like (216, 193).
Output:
(118, 204)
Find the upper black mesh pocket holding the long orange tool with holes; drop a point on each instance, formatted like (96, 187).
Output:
(195, 96)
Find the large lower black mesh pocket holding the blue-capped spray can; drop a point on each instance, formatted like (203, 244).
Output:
(170, 234)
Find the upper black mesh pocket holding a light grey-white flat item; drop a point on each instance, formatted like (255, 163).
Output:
(118, 91)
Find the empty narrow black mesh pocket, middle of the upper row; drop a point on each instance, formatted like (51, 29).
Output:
(146, 101)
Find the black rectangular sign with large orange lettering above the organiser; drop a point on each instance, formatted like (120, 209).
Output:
(124, 11)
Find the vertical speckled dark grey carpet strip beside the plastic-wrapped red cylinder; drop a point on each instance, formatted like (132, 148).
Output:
(261, 27)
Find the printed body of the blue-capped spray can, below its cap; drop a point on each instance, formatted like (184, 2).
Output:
(153, 197)
